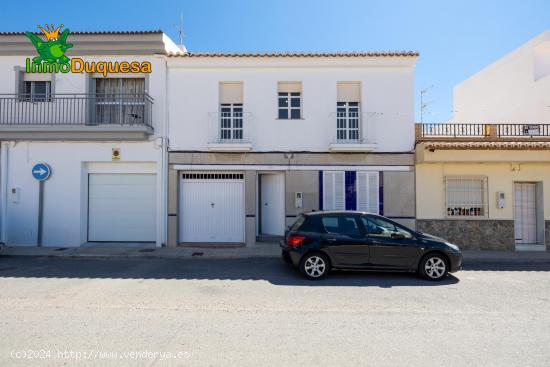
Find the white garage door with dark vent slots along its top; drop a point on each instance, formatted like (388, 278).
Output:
(212, 207)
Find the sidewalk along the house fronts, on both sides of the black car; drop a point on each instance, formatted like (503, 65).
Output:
(261, 249)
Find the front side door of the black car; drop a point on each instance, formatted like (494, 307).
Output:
(391, 245)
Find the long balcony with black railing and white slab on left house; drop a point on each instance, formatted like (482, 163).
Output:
(76, 117)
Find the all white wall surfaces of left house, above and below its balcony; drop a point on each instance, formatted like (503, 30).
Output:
(65, 209)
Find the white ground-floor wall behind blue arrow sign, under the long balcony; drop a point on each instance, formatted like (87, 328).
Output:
(65, 193)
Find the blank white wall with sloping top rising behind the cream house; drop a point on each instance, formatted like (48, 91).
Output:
(514, 89)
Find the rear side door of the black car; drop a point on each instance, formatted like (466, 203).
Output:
(344, 238)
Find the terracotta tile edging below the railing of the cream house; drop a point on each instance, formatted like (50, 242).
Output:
(488, 145)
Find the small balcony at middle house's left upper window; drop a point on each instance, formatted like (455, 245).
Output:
(229, 131)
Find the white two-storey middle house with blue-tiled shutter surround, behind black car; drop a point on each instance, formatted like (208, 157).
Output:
(257, 139)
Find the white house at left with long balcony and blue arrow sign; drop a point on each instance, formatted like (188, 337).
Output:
(102, 136)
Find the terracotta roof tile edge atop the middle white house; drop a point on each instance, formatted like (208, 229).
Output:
(299, 54)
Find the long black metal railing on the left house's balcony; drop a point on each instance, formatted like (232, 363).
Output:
(76, 109)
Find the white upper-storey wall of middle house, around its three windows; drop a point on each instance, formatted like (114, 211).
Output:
(386, 87)
